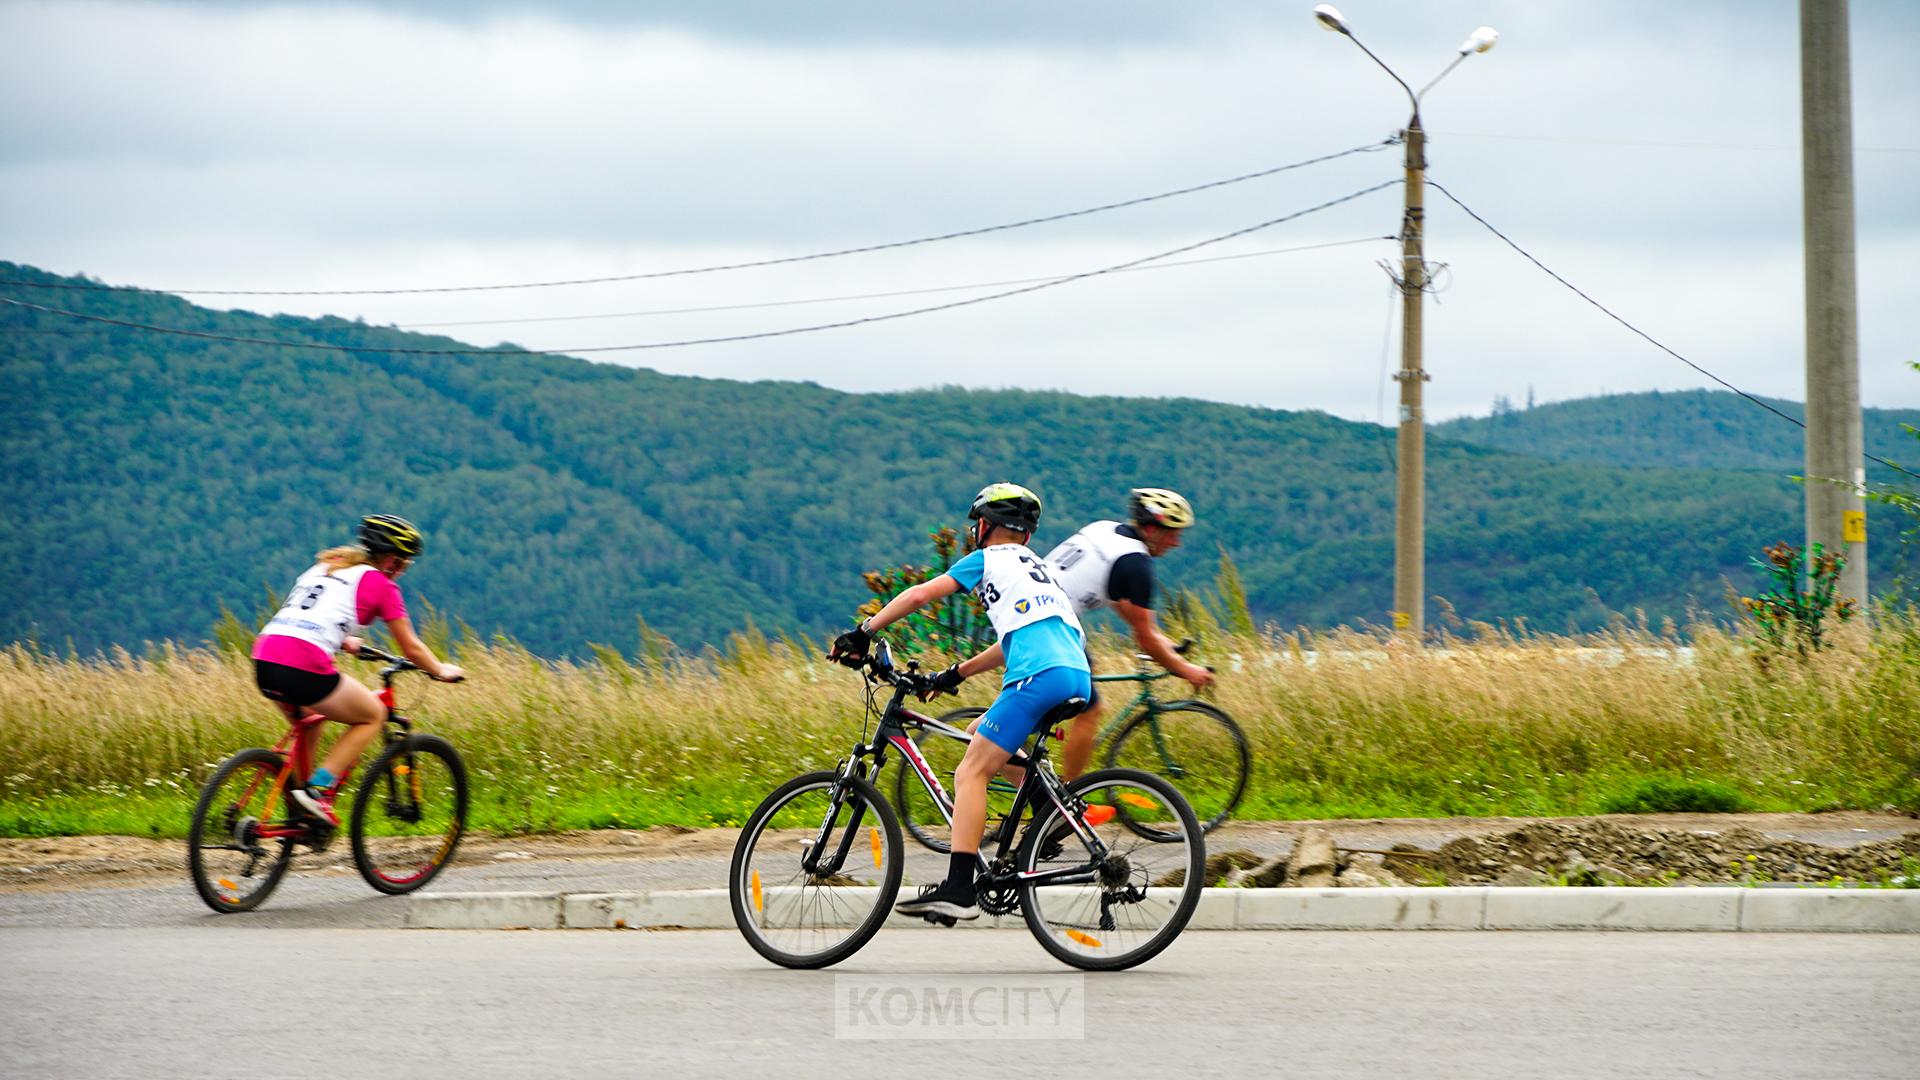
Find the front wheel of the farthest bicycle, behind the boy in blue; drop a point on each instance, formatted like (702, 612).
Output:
(1199, 749)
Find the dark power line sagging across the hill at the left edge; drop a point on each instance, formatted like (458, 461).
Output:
(723, 339)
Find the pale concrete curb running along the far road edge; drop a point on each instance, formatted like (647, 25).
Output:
(1819, 910)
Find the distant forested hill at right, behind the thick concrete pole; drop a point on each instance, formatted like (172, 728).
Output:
(1689, 430)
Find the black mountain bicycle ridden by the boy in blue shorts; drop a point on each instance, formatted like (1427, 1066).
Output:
(819, 864)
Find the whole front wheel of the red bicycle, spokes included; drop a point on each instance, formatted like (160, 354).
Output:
(410, 814)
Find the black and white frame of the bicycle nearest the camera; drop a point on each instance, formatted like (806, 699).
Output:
(869, 760)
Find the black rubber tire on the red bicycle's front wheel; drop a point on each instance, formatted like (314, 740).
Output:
(418, 864)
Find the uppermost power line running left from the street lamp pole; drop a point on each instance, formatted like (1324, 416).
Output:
(784, 260)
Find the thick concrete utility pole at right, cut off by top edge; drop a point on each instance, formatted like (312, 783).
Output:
(1836, 514)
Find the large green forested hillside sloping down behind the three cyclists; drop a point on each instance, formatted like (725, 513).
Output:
(151, 479)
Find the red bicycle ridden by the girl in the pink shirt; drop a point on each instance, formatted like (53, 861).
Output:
(406, 823)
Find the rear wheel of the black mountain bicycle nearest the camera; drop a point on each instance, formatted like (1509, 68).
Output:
(1138, 898)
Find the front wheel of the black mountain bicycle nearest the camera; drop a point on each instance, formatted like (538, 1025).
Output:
(817, 870)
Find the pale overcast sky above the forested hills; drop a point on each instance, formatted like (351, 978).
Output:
(1644, 151)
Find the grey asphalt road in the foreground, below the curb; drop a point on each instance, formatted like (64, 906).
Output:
(176, 1002)
